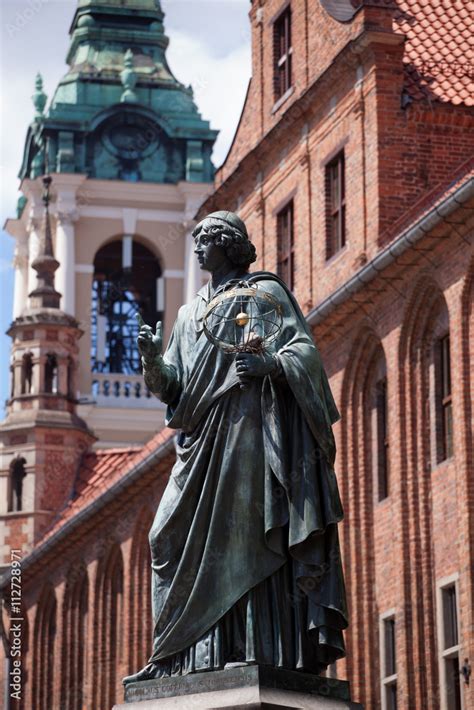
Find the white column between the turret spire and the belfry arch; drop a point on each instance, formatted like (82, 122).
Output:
(65, 254)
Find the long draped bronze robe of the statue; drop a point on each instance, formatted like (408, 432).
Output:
(245, 552)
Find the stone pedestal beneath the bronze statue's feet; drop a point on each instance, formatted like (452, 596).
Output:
(245, 688)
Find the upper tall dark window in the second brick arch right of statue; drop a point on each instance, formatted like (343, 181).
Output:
(444, 406)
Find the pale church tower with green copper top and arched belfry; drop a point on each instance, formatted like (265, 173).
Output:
(130, 161)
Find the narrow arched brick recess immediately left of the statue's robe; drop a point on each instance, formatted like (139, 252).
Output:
(140, 611)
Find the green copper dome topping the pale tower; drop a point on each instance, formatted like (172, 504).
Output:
(119, 112)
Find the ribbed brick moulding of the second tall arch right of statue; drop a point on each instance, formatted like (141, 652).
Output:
(425, 324)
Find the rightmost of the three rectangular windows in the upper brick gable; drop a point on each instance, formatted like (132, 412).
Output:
(335, 205)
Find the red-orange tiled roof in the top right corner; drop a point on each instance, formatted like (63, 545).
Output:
(439, 50)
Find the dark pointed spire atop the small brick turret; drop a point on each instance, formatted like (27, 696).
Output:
(45, 295)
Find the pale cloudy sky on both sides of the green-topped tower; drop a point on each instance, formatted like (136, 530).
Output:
(209, 48)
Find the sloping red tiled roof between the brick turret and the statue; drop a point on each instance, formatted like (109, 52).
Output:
(99, 471)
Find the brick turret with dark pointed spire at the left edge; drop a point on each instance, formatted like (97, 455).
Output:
(42, 438)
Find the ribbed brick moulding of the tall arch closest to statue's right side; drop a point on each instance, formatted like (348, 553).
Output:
(362, 467)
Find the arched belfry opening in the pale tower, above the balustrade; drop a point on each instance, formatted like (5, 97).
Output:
(127, 281)
